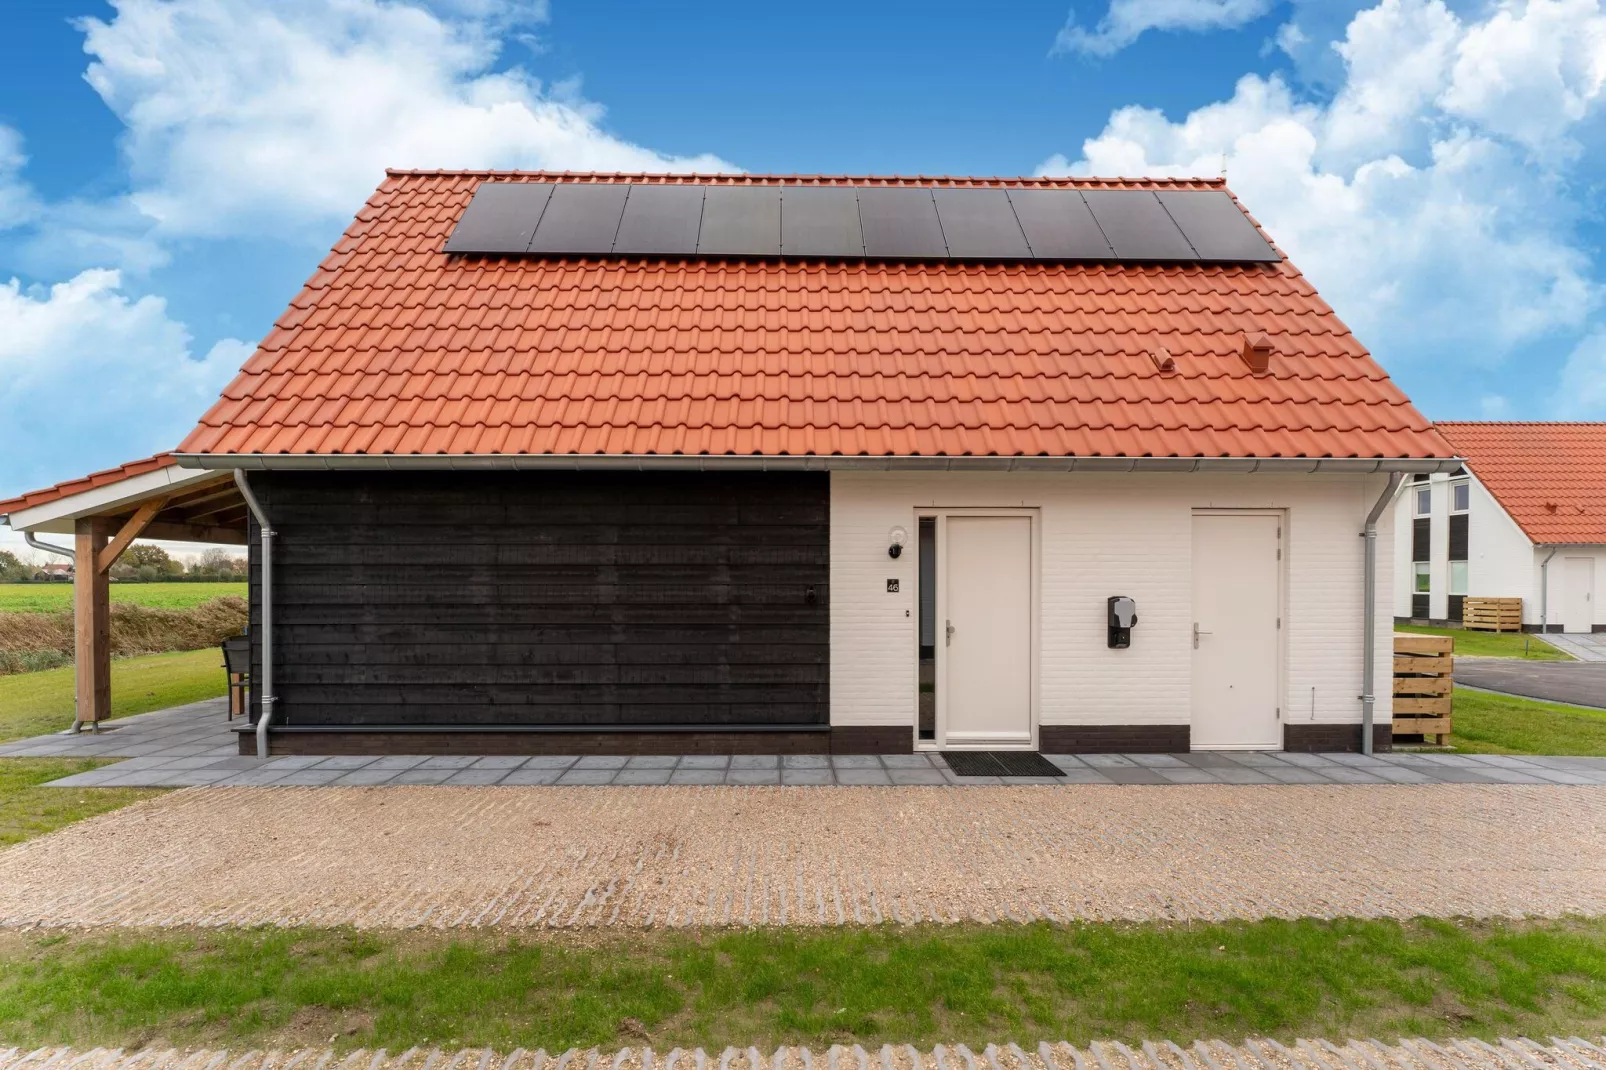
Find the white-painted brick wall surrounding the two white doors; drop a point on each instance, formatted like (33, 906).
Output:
(1111, 534)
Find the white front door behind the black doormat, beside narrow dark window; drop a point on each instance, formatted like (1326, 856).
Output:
(984, 639)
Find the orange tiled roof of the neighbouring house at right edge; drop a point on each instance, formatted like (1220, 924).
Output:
(1551, 478)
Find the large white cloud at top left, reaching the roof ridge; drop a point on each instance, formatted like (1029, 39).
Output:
(245, 116)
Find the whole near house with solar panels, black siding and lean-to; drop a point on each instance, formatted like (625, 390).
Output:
(643, 464)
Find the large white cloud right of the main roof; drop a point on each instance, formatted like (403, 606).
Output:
(1432, 229)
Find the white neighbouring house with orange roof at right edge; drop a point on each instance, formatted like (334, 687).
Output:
(1525, 518)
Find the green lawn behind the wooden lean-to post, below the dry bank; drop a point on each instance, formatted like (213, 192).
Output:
(33, 704)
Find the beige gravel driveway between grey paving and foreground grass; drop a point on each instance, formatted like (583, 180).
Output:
(563, 857)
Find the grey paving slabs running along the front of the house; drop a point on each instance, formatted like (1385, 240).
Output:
(192, 746)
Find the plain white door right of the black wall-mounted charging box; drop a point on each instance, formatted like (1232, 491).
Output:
(1237, 600)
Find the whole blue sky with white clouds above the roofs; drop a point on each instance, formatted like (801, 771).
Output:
(171, 171)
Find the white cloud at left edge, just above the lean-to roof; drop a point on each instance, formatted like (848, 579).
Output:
(97, 377)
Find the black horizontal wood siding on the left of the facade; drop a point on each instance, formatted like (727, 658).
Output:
(548, 598)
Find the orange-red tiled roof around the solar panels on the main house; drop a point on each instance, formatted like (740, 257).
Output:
(394, 348)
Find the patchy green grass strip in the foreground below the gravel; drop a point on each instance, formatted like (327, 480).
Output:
(969, 984)
